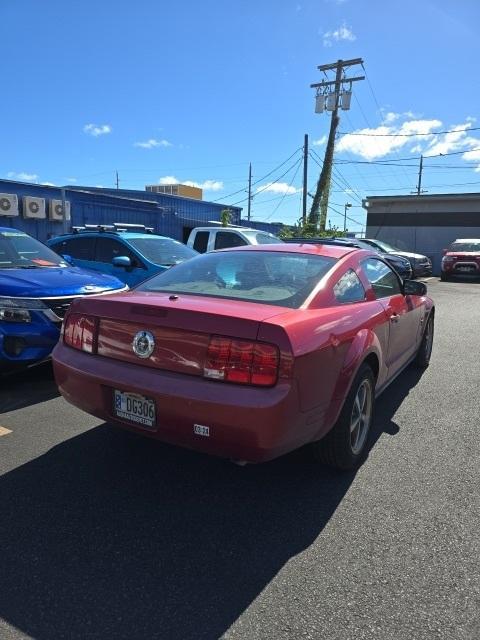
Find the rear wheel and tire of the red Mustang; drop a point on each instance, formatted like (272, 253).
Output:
(344, 445)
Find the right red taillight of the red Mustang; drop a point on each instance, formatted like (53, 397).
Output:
(242, 361)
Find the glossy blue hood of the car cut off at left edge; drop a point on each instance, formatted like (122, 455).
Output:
(51, 282)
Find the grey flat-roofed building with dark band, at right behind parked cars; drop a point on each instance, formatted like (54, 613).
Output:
(424, 224)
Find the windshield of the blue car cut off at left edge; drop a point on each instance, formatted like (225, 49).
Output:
(19, 250)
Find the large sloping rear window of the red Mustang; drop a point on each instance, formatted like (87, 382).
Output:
(278, 278)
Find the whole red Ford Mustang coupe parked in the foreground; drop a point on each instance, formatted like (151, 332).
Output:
(251, 352)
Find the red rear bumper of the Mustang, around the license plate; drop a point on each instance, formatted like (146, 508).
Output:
(245, 423)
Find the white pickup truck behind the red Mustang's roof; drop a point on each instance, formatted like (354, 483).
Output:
(204, 239)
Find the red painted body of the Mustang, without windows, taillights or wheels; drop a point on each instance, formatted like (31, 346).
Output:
(321, 346)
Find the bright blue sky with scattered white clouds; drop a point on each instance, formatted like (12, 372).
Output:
(196, 90)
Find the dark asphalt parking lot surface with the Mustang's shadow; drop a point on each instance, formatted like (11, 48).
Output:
(104, 534)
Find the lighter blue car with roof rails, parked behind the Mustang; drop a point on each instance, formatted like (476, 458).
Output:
(129, 252)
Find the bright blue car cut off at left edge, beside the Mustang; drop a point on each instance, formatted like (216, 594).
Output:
(36, 289)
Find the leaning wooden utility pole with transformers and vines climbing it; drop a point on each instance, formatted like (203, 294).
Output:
(318, 212)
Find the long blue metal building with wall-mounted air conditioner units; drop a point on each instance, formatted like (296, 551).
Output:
(169, 215)
